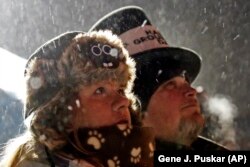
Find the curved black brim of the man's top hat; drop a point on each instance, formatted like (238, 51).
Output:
(171, 58)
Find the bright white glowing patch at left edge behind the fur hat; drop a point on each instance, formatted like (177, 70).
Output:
(11, 73)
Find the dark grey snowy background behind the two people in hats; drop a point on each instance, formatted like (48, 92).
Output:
(218, 30)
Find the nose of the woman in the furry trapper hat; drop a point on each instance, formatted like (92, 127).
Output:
(121, 103)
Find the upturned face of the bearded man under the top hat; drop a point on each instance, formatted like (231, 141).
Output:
(174, 112)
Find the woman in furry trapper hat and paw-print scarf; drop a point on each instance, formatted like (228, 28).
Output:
(79, 109)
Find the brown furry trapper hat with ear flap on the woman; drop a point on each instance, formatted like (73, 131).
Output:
(55, 72)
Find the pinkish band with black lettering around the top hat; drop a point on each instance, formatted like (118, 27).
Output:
(143, 38)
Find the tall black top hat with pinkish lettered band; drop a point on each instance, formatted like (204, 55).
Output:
(156, 61)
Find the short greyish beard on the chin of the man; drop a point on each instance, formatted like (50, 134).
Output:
(188, 131)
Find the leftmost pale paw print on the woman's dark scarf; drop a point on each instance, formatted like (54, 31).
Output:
(95, 139)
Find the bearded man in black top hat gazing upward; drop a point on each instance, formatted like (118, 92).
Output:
(164, 75)
